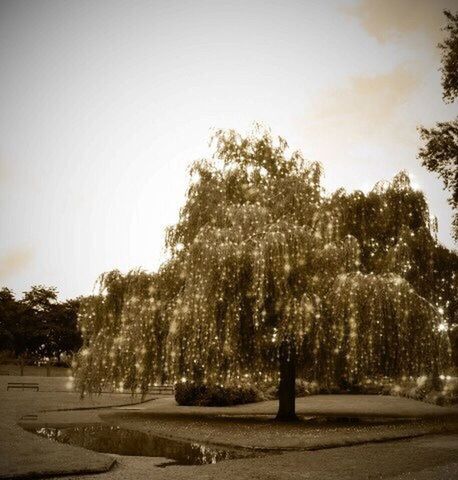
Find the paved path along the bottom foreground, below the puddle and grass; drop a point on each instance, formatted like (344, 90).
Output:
(426, 458)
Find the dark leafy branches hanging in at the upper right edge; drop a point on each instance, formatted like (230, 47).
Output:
(440, 152)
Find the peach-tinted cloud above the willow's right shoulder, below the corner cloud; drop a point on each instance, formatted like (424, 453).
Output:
(364, 107)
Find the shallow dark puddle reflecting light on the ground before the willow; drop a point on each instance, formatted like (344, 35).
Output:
(113, 439)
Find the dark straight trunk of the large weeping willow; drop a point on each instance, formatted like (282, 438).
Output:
(287, 387)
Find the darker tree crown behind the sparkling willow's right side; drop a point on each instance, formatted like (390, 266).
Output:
(396, 234)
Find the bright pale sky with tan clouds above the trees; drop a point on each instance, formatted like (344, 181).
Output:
(105, 104)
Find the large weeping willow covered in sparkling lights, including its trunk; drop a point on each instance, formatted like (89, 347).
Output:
(268, 276)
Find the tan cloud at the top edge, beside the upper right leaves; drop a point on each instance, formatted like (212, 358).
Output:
(388, 20)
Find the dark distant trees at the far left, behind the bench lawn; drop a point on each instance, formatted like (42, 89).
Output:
(38, 327)
